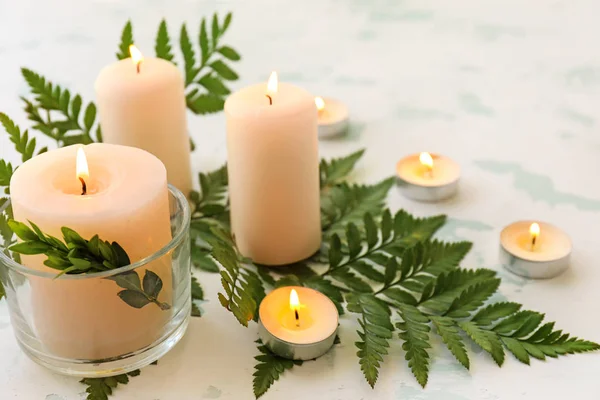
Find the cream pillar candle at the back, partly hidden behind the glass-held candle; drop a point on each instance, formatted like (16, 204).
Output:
(141, 103)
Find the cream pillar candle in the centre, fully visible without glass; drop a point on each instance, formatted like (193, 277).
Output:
(273, 167)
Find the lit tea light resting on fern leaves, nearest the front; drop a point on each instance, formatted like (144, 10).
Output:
(298, 323)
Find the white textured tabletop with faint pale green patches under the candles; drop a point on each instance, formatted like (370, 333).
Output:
(508, 88)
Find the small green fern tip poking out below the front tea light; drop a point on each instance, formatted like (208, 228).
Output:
(269, 369)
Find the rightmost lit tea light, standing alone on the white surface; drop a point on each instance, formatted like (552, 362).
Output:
(535, 249)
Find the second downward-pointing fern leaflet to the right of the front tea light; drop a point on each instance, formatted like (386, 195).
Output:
(415, 333)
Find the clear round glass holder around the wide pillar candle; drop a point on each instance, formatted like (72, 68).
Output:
(79, 325)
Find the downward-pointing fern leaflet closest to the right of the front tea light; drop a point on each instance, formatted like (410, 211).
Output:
(376, 331)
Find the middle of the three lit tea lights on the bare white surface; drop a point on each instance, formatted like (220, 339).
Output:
(427, 177)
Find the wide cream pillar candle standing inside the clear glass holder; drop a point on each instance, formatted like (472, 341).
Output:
(126, 201)
